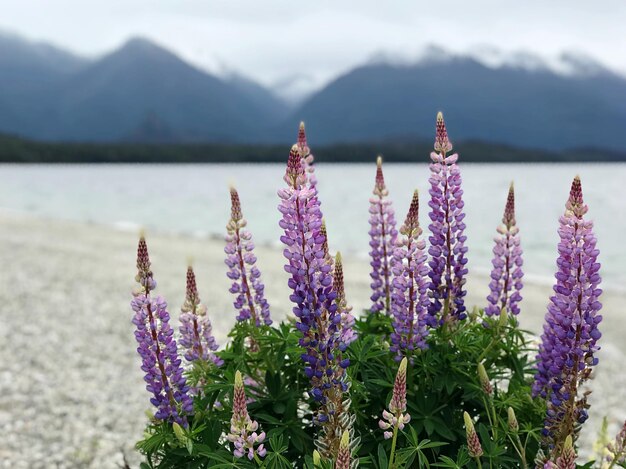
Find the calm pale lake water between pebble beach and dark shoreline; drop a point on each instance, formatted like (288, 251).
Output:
(194, 199)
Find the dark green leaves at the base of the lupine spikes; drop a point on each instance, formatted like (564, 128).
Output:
(442, 383)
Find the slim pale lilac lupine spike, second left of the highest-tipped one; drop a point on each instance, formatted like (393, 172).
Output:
(383, 235)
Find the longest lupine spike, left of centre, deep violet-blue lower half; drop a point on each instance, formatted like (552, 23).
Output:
(313, 295)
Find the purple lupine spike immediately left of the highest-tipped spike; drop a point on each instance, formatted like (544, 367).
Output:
(410, 287)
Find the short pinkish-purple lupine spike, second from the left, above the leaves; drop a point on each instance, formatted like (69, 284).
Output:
(196, 332)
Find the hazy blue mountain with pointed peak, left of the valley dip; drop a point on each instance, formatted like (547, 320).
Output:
(124, 94)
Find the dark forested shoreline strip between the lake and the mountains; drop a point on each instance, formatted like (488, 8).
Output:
(19, 150)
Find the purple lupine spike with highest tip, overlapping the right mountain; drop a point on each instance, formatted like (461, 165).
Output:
(447, 240)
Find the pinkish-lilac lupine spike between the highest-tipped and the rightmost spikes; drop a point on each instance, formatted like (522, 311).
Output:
(506, 276)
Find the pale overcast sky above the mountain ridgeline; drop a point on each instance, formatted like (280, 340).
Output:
(269, 39)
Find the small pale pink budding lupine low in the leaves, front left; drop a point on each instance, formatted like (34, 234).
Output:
(243, 430)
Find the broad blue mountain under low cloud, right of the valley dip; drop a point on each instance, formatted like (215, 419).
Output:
(523, 105)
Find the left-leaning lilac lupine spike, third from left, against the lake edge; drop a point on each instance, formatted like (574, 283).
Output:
(242, 270)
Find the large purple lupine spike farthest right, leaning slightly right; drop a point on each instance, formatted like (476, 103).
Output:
(570, 333)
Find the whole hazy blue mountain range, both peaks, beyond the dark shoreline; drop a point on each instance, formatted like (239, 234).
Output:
(142, 92)
